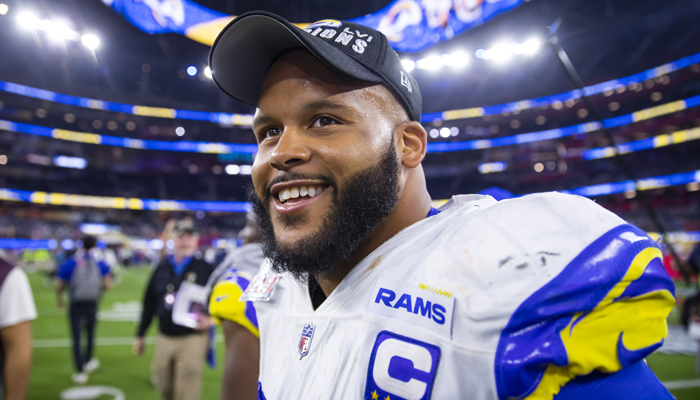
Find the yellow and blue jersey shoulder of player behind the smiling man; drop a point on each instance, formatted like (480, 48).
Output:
(225, 300)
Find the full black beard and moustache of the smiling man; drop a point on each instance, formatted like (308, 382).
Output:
(369, 197)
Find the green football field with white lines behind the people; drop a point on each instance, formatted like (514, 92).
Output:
(52, 366)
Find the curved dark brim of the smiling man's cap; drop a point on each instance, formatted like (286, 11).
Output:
(247, 47)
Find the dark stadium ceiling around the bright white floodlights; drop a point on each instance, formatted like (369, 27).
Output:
(606, 39)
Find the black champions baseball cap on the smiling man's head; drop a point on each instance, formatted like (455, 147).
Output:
(246, 48)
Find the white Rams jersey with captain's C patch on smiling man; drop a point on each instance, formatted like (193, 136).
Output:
(486, 300)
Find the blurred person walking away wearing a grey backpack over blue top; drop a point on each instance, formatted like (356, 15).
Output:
(87, 275)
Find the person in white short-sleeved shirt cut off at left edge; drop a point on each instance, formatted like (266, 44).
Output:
(17, 310)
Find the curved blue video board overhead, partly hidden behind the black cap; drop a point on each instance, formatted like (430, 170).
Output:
(410, 25)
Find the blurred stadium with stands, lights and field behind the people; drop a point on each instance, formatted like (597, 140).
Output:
(117, 139)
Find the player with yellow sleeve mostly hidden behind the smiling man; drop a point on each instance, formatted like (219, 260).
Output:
(238, 319)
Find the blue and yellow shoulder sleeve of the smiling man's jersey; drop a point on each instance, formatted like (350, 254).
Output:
(604, 311)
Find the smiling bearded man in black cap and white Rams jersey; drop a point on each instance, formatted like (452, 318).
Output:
(369, 293)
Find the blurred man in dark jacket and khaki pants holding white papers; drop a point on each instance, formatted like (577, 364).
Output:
(180, 350)
